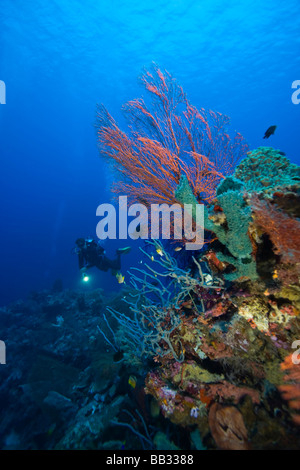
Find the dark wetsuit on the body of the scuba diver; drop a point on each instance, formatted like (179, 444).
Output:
(91, 254)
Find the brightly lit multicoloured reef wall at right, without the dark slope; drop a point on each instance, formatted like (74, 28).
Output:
(236, 345)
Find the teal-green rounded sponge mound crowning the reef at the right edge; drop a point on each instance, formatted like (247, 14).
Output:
(265, 168)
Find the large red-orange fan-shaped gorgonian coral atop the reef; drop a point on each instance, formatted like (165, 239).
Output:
(168, 139)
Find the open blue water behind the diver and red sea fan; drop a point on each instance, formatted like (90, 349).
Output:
(59, 58)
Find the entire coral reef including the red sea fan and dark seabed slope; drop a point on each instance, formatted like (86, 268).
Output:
(195, 351)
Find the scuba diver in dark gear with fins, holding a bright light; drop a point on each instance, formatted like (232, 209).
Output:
(92, 254)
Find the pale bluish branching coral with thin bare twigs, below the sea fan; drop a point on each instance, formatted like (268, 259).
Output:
(159, 291)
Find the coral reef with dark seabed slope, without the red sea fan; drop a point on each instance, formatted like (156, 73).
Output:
(193, 353)
